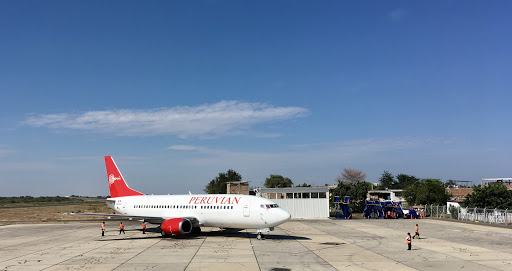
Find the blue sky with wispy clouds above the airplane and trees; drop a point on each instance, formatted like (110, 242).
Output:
(178, 91)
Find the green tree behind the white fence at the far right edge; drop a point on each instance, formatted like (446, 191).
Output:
(494, 195)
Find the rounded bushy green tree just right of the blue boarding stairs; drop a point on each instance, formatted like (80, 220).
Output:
(426, 191)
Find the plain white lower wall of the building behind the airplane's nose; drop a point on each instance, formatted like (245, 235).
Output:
(305, 208)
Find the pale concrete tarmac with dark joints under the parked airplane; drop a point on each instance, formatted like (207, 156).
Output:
(296, 245)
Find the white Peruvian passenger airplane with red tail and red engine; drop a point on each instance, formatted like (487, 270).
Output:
(184, 214)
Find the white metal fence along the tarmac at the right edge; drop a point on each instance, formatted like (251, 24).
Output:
(491, 216)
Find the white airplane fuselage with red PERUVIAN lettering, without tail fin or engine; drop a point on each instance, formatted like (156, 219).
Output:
(211, 210)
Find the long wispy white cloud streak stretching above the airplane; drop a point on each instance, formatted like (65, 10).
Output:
(209, 120)
